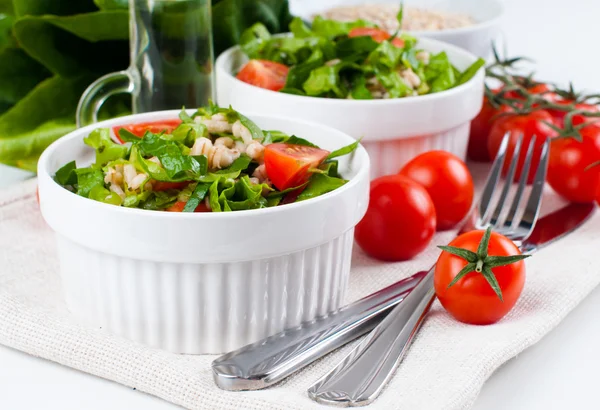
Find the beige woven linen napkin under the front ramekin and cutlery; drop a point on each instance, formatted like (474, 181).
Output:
(445, 368)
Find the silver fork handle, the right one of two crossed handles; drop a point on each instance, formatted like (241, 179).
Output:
(361, 376)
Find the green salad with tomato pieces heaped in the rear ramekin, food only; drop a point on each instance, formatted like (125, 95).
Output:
(349, 60)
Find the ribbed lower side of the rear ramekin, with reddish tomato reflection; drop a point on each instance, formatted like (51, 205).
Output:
(388, 157)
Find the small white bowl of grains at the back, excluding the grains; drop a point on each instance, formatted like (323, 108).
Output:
(477, 38)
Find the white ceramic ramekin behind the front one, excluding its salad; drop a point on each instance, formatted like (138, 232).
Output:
(394, 130)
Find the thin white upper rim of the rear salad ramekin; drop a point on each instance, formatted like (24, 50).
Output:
(448, 48)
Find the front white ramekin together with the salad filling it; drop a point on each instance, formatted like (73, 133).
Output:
(203, 282)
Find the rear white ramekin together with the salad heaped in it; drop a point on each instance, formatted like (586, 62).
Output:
(402, 95)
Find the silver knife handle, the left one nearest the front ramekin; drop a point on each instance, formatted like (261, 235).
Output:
(270, 360)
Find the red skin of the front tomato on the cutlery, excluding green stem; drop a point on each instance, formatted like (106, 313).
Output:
(472, 299)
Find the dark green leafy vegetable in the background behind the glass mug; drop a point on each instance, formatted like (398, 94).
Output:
(50, 51)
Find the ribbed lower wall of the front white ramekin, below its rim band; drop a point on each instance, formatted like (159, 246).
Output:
(203, 308)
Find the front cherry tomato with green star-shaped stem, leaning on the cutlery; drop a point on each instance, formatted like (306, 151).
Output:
(490, 287)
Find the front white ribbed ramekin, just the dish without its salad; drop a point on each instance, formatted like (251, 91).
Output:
(203, 282)
